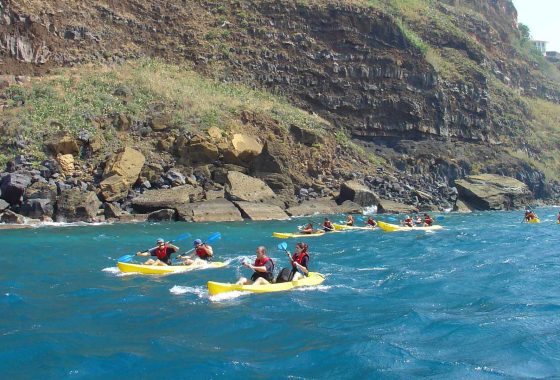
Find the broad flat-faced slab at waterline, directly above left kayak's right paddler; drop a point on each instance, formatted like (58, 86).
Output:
(217, 210)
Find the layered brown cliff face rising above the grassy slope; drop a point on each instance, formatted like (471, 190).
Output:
(450, 71)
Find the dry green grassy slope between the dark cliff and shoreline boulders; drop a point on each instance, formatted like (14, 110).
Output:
(84, 99)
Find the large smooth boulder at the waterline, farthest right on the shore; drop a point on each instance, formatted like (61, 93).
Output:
(493, 192)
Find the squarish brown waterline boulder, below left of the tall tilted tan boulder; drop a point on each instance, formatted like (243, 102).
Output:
(73, 205)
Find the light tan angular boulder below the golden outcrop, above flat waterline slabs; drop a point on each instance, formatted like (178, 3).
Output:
(241, 187)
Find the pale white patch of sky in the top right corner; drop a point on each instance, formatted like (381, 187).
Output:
(543, 19)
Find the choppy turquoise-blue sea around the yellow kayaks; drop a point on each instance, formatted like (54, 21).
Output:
(478, 300)
